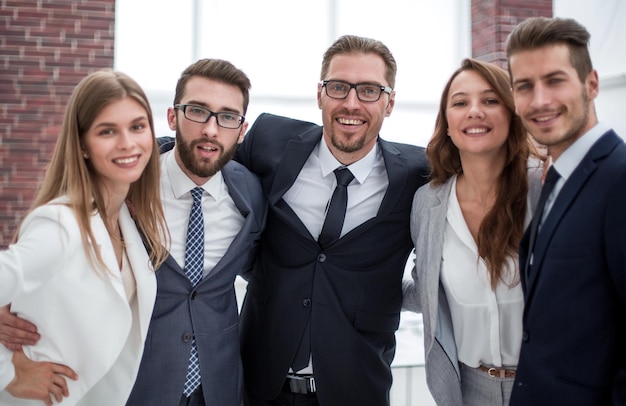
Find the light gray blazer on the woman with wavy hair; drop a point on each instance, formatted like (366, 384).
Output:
(425, 294)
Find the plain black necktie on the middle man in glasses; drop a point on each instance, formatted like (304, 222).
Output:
(331, 230)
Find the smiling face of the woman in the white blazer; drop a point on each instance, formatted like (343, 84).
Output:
(118, 145)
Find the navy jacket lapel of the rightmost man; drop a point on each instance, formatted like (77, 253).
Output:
(570, 190)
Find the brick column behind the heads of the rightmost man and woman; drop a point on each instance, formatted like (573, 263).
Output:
(493, 21)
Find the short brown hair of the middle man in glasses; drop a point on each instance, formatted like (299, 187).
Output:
(351, 44)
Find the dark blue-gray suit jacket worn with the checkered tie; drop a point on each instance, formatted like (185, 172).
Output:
(209, 310)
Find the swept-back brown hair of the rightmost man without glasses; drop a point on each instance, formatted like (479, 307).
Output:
(538, 32)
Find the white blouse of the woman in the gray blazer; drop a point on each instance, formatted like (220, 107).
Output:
(487, 324)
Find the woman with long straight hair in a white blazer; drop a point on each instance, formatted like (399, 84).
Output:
(79, 268)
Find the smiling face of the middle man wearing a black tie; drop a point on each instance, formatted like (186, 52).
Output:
(351, 126)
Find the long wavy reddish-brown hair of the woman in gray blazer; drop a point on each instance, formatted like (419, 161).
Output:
(502, 228)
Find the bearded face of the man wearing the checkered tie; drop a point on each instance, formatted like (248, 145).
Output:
(202, 149)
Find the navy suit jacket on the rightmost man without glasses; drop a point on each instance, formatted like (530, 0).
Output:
(574, 340)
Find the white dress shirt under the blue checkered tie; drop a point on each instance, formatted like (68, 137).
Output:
(222, 219)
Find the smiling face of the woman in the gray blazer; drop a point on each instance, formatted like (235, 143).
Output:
(478, 121)
